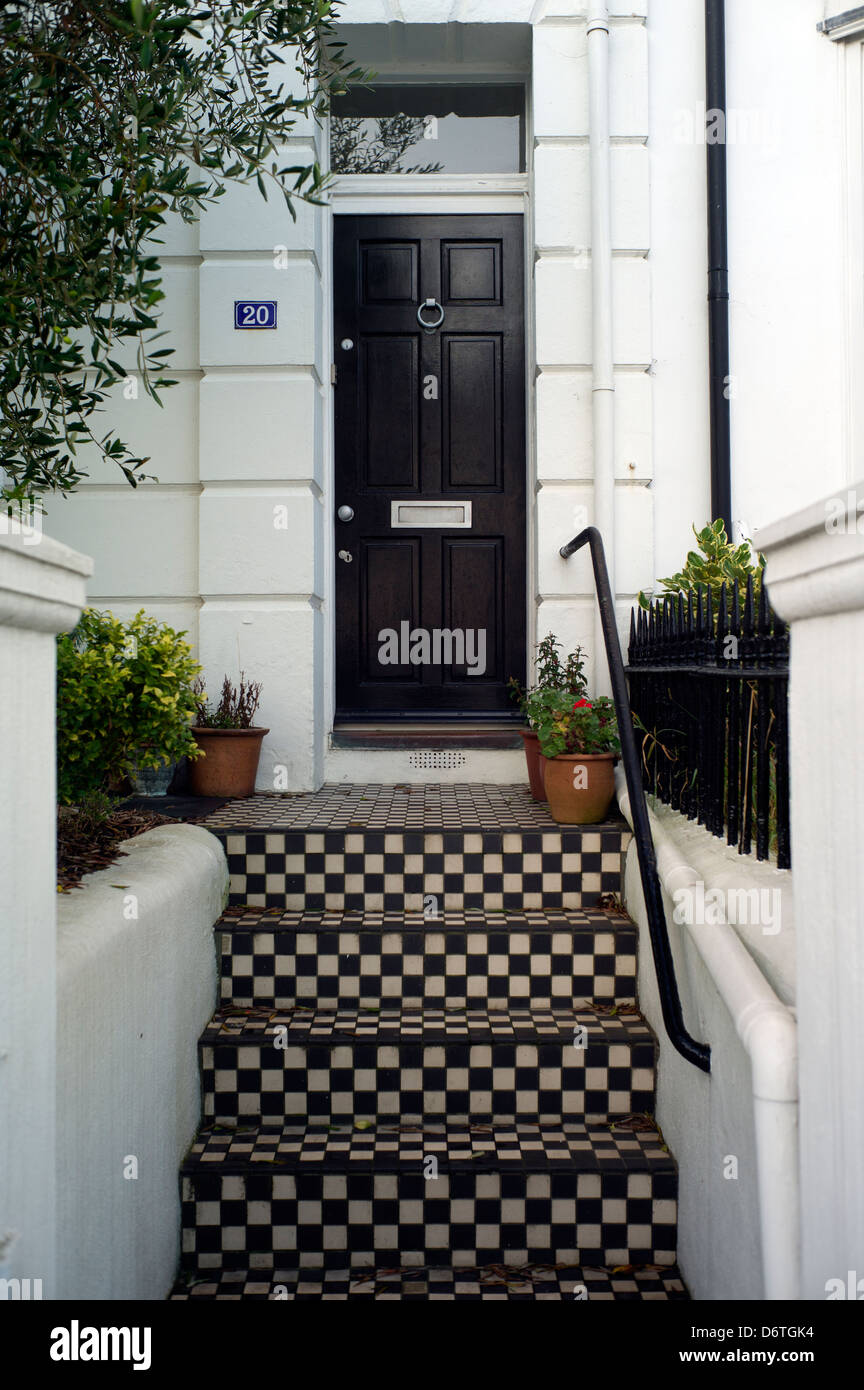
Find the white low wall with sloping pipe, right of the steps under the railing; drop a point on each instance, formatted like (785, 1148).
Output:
(756, 1102)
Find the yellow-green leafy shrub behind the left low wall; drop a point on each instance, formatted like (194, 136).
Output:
(124, 696)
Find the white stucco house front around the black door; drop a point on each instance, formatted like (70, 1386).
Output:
(249, 427)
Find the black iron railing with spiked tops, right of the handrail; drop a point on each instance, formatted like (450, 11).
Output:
(709, 679)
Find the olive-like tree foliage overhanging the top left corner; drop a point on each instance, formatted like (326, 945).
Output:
(113, 116)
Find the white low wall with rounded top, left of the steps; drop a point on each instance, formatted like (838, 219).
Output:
(135, 988)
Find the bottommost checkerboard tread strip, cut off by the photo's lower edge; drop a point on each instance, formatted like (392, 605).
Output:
(433, 1285)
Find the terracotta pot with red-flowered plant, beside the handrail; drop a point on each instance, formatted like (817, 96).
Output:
(580, 744)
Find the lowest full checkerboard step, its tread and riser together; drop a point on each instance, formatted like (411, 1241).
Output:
(435, 1195)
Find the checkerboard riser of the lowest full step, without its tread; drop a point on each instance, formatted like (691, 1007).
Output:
(404, 1220)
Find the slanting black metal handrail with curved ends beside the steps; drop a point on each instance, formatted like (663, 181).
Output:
(665, 965)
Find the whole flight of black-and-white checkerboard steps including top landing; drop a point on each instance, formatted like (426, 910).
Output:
(444, 1103)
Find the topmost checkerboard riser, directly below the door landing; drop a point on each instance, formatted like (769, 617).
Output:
(405, 871)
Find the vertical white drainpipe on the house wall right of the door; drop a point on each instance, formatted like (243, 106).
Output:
(602, 309)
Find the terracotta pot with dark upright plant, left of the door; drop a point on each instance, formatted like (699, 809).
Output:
(229, 740)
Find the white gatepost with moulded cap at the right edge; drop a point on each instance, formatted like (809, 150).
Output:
(816, 579)
